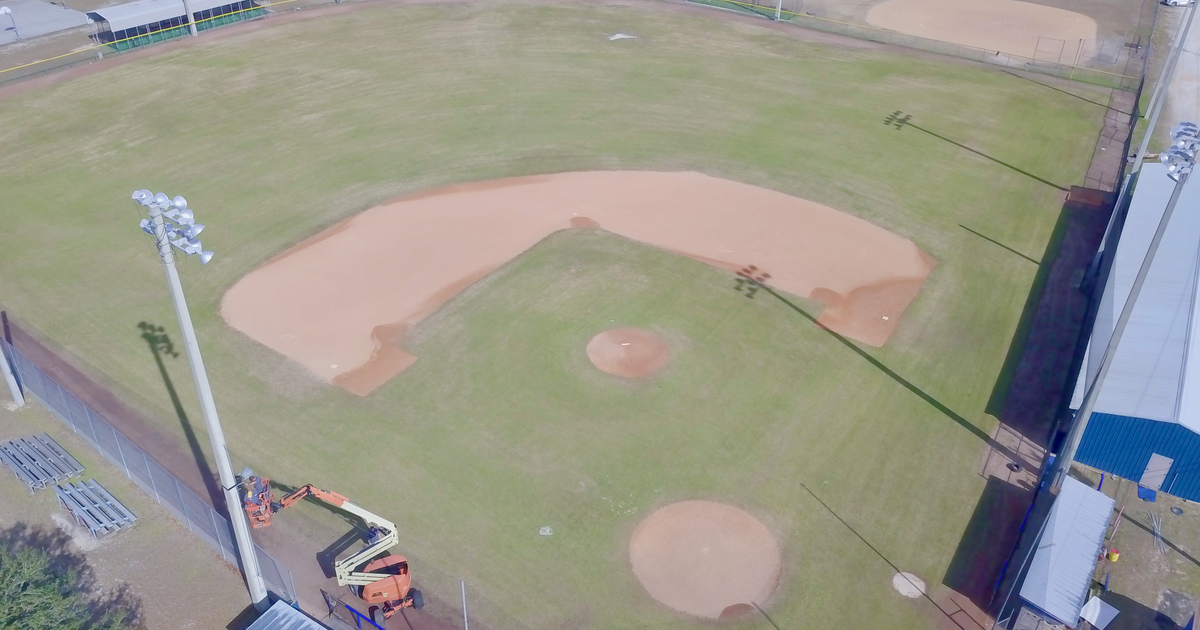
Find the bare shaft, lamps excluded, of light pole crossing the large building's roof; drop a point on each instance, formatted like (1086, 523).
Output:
(1063, 464)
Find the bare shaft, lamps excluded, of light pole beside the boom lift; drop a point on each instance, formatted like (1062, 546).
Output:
(209, 409)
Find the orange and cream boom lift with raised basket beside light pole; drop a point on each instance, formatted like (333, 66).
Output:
(385, 581)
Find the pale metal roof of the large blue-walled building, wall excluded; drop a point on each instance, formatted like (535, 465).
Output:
(1150, 374)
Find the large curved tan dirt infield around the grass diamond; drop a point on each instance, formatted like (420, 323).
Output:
(340, 302)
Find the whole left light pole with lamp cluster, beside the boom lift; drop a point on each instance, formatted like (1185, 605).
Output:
(173, 225)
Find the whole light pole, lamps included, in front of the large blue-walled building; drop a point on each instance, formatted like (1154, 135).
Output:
(1179, 160)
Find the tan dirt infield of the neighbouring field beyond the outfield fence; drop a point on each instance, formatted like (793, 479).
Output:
(1004, 26)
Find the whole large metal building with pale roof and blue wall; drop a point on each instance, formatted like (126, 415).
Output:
(1147, 424)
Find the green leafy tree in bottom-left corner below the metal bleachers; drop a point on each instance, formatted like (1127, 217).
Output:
(57, 580)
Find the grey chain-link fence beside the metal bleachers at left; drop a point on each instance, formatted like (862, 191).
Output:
(201, 519)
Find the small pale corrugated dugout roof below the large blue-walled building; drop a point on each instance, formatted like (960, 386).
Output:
(1067, 553)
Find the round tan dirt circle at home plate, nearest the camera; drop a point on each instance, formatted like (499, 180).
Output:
(706, 559)
